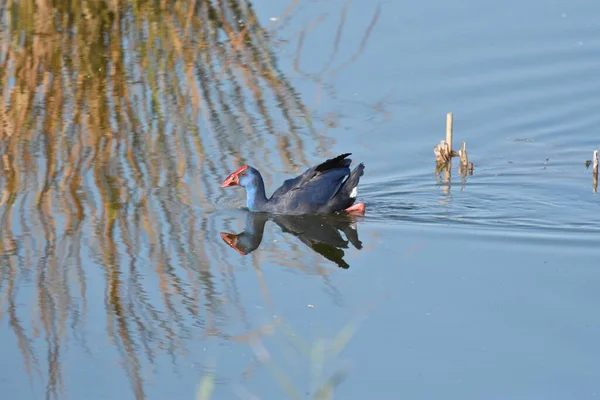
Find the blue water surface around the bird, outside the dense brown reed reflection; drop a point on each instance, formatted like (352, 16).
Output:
(481, 287)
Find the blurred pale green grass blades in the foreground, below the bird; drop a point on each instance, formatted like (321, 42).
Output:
(318, 354)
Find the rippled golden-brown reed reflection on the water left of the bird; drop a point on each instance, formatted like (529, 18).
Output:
(117, 120)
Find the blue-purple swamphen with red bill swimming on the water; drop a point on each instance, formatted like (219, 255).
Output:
(324, 189)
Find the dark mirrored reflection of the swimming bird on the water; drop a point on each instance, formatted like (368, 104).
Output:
(320, 233)
